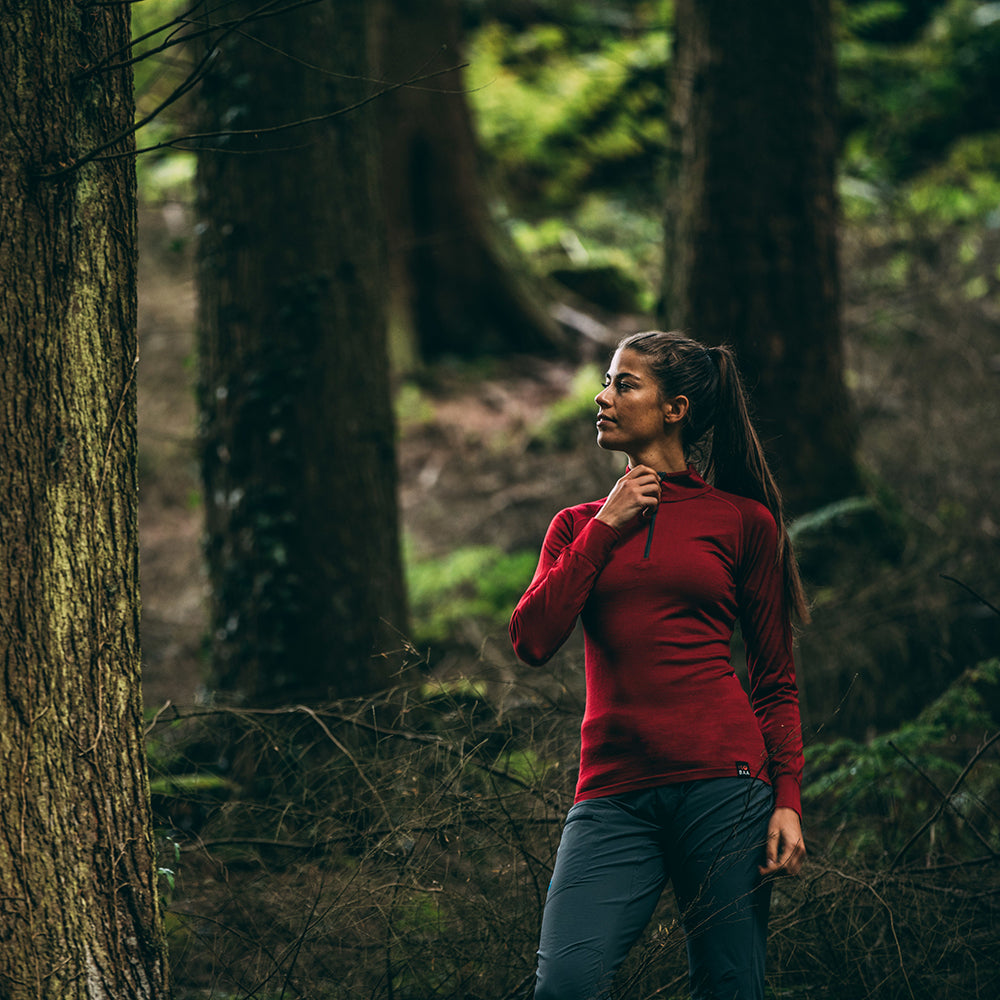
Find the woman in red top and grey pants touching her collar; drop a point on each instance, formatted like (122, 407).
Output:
(682, 776)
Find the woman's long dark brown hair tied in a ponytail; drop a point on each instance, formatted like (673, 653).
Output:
(719, 431)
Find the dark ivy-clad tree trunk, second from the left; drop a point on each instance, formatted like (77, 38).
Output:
(298, 445)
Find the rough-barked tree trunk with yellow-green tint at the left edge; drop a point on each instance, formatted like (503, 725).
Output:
(78, 905)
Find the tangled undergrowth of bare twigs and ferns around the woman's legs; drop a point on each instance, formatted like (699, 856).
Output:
(400, 847)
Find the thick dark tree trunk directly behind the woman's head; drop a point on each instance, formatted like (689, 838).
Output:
(751, 225)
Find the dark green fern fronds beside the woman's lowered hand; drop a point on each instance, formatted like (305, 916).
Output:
(880, 791)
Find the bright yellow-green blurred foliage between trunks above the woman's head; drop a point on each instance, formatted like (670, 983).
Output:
(572, 118)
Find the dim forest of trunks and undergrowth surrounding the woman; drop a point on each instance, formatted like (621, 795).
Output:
(305, 305)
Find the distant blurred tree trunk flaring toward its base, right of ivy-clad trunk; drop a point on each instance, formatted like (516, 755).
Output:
(457, 285)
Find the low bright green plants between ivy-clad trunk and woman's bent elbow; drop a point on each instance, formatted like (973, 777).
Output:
(477, 584)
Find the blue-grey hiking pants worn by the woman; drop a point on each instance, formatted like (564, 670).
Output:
(615, 857)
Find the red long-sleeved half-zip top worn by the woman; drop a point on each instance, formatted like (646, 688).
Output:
(658, 600)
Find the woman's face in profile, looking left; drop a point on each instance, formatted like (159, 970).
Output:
(632, 411)
